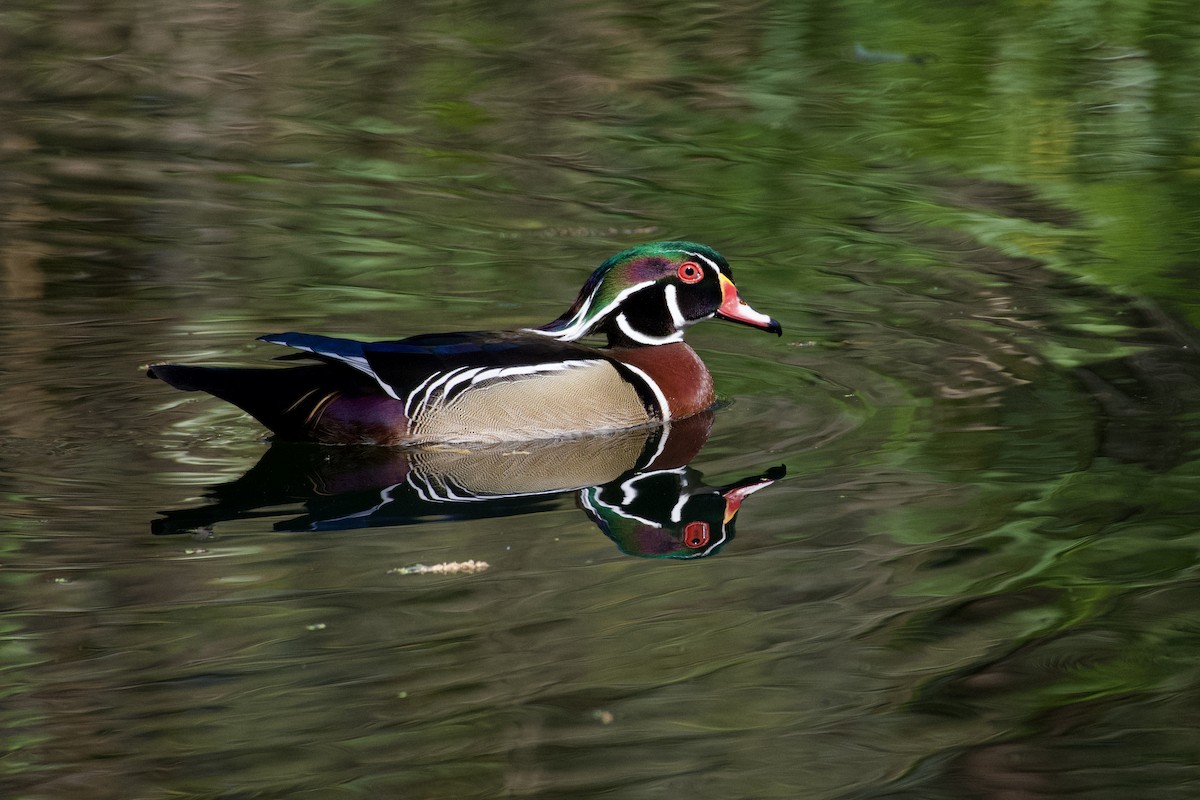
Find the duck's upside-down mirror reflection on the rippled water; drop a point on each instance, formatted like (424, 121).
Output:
(637, 486)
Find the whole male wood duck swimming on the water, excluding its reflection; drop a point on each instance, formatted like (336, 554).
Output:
(491, 387)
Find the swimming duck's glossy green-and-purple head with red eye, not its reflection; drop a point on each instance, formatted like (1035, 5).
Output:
(651, 293)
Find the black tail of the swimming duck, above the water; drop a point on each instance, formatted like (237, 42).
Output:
(287, 401)
